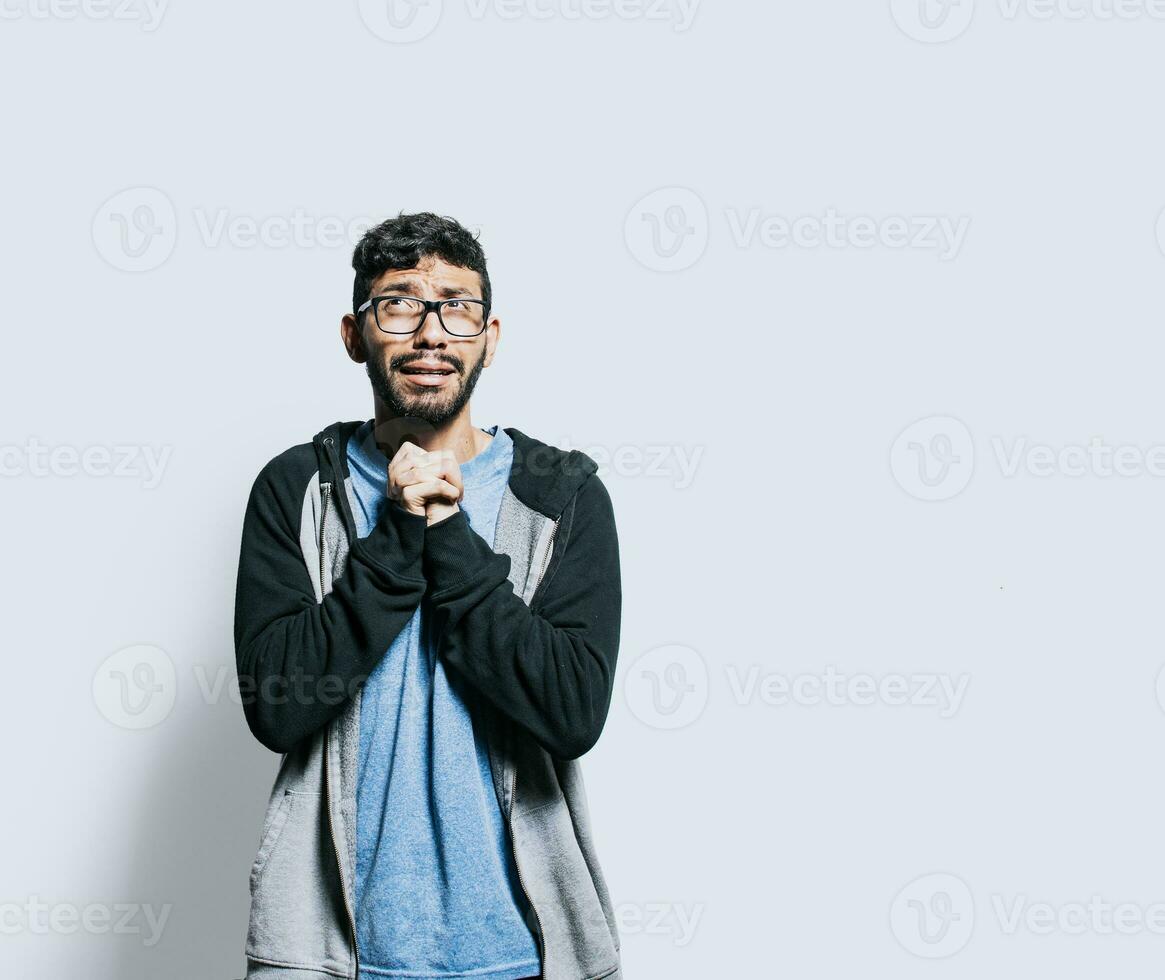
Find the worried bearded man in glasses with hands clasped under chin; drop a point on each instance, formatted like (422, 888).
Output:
(427, 626)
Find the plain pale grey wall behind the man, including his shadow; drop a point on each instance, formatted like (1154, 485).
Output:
(789, 829)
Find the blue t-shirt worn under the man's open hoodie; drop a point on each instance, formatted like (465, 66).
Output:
(437, 893)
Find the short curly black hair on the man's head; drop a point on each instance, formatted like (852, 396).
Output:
(403, 242)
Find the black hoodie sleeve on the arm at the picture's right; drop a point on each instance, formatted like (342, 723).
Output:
(550, 671)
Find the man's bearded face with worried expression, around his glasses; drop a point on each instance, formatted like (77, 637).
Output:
(401, 365)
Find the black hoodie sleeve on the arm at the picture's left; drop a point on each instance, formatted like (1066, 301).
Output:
(300, 661)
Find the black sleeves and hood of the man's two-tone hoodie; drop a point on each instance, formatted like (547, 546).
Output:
(549, 667)
